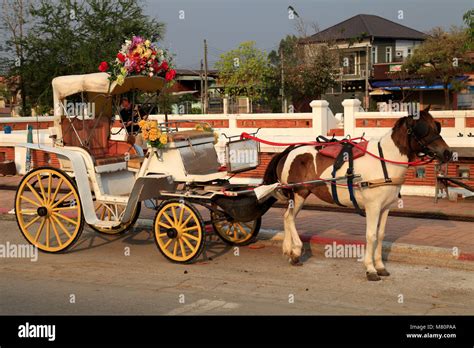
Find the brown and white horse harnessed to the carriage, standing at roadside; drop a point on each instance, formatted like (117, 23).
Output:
(409, 137)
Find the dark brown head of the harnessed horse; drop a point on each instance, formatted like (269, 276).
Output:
(419, 136)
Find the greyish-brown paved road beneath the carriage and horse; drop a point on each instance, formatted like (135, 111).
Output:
(104, 280)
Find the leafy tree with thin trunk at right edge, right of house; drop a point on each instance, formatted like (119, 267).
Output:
(442, 57)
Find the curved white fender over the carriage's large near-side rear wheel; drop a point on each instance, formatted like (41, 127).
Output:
(80, 175)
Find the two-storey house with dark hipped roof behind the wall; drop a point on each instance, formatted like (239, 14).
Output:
(364, 41)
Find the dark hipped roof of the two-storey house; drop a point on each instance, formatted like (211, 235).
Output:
(370, 25)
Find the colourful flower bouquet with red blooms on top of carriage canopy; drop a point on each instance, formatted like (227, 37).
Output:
(139, 57)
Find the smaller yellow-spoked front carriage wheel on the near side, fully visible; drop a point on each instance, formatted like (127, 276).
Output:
(179, 231)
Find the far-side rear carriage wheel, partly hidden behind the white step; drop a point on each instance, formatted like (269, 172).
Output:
(114, 212)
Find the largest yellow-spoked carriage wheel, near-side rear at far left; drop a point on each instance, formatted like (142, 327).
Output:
(48, 209)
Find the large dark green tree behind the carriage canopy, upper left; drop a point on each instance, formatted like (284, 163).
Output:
(68, 37)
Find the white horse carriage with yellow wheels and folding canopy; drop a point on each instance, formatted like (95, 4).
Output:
(102, 182)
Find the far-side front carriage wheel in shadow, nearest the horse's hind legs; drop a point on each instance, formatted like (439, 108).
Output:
(235, 232)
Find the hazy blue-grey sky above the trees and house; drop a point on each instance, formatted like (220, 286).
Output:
(226, 23)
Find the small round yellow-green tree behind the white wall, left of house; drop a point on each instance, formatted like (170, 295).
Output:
(244, 71)
